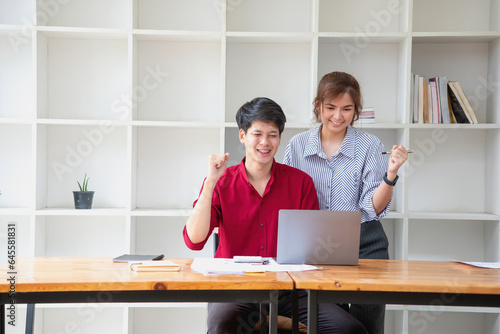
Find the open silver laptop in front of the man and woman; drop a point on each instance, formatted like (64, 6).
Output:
(318, 237)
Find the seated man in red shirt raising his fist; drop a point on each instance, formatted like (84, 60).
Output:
(243, 201)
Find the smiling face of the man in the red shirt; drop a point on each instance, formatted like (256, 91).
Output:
(261, 141)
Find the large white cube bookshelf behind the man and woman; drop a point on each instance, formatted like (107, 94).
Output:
(137, 93)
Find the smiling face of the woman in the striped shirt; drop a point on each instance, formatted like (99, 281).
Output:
(337, 114)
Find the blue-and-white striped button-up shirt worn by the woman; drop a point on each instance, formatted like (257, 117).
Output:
(346, 182)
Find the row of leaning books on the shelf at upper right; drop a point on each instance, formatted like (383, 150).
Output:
(440, 101)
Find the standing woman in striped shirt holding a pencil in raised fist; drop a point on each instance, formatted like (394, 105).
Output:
(348, 172)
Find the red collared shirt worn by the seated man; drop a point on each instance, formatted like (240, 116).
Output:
(248, 223)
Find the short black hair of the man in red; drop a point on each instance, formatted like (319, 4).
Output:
(260, 109)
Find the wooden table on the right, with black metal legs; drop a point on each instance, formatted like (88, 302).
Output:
(399, 282)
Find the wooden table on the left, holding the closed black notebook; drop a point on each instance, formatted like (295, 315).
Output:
(78, 280)
